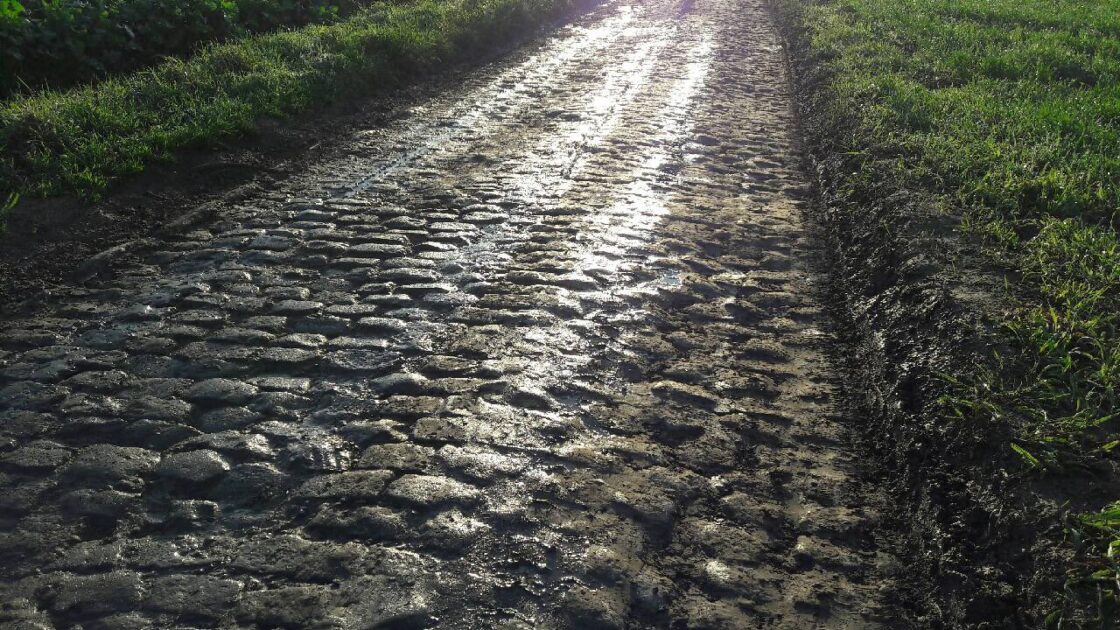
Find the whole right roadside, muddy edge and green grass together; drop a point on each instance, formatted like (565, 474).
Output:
(969, 186)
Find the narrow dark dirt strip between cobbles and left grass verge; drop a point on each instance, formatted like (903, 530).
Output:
(59, 240)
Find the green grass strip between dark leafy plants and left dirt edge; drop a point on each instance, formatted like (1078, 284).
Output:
(81, 141)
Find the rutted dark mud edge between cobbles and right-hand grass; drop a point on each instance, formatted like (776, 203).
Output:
(916, 302)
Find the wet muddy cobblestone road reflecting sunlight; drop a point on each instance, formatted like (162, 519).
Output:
(543, 353)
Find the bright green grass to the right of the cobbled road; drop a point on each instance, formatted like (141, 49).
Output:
(1007, 114)
